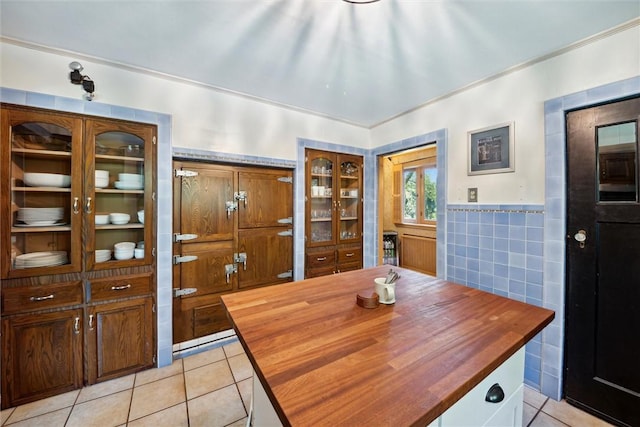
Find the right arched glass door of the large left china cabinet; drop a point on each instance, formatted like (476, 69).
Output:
(119, 194)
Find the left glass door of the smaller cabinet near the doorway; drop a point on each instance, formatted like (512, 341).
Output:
(320, 194)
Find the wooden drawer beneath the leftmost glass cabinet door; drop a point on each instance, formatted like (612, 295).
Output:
(33, 298)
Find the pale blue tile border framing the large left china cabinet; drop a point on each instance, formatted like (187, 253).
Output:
(164, 198)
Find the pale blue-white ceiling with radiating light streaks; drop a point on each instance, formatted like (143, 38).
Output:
(363, 64)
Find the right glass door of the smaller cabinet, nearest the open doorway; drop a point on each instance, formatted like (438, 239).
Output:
(349, 205)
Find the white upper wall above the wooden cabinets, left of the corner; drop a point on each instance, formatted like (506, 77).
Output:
(203, 118)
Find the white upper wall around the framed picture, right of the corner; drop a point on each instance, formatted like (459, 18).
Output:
(519, 97)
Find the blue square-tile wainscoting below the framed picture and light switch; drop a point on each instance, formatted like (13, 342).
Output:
(499, 249)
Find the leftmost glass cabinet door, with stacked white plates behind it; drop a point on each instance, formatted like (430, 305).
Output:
(41, 188)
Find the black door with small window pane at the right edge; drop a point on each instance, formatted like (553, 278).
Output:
(603, 262)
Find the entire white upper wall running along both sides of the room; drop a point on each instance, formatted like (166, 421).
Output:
(212, 120)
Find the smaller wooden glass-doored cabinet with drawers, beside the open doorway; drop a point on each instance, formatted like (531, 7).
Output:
(333, 212)
